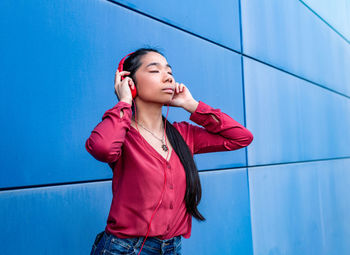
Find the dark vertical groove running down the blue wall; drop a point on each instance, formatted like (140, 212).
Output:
(244, 114)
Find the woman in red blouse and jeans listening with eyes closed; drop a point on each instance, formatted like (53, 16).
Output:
(156, 186)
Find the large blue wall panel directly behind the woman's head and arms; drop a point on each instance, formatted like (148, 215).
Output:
(70, 56)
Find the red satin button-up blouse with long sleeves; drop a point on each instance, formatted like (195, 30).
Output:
(138, 175)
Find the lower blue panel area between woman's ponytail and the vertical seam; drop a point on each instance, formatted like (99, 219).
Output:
(225, 205)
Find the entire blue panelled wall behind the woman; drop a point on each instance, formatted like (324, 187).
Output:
(281, 68)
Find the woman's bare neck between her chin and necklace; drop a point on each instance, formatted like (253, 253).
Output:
(149, 115)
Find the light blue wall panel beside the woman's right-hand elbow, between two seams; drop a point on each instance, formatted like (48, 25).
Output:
(292, 119)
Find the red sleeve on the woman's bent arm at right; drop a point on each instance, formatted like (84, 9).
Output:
(223, 134)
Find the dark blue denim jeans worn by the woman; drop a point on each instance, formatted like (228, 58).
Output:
(110, 244)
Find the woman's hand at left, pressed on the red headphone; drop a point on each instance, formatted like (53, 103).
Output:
(122, 87)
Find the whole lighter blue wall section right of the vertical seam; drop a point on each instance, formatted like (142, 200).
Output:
(296, 86)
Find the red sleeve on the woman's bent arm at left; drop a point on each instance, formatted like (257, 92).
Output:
(106, 140)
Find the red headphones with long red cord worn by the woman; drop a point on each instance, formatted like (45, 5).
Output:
(134, 94)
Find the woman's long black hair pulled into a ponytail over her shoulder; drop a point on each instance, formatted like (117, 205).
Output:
(193, 186)
